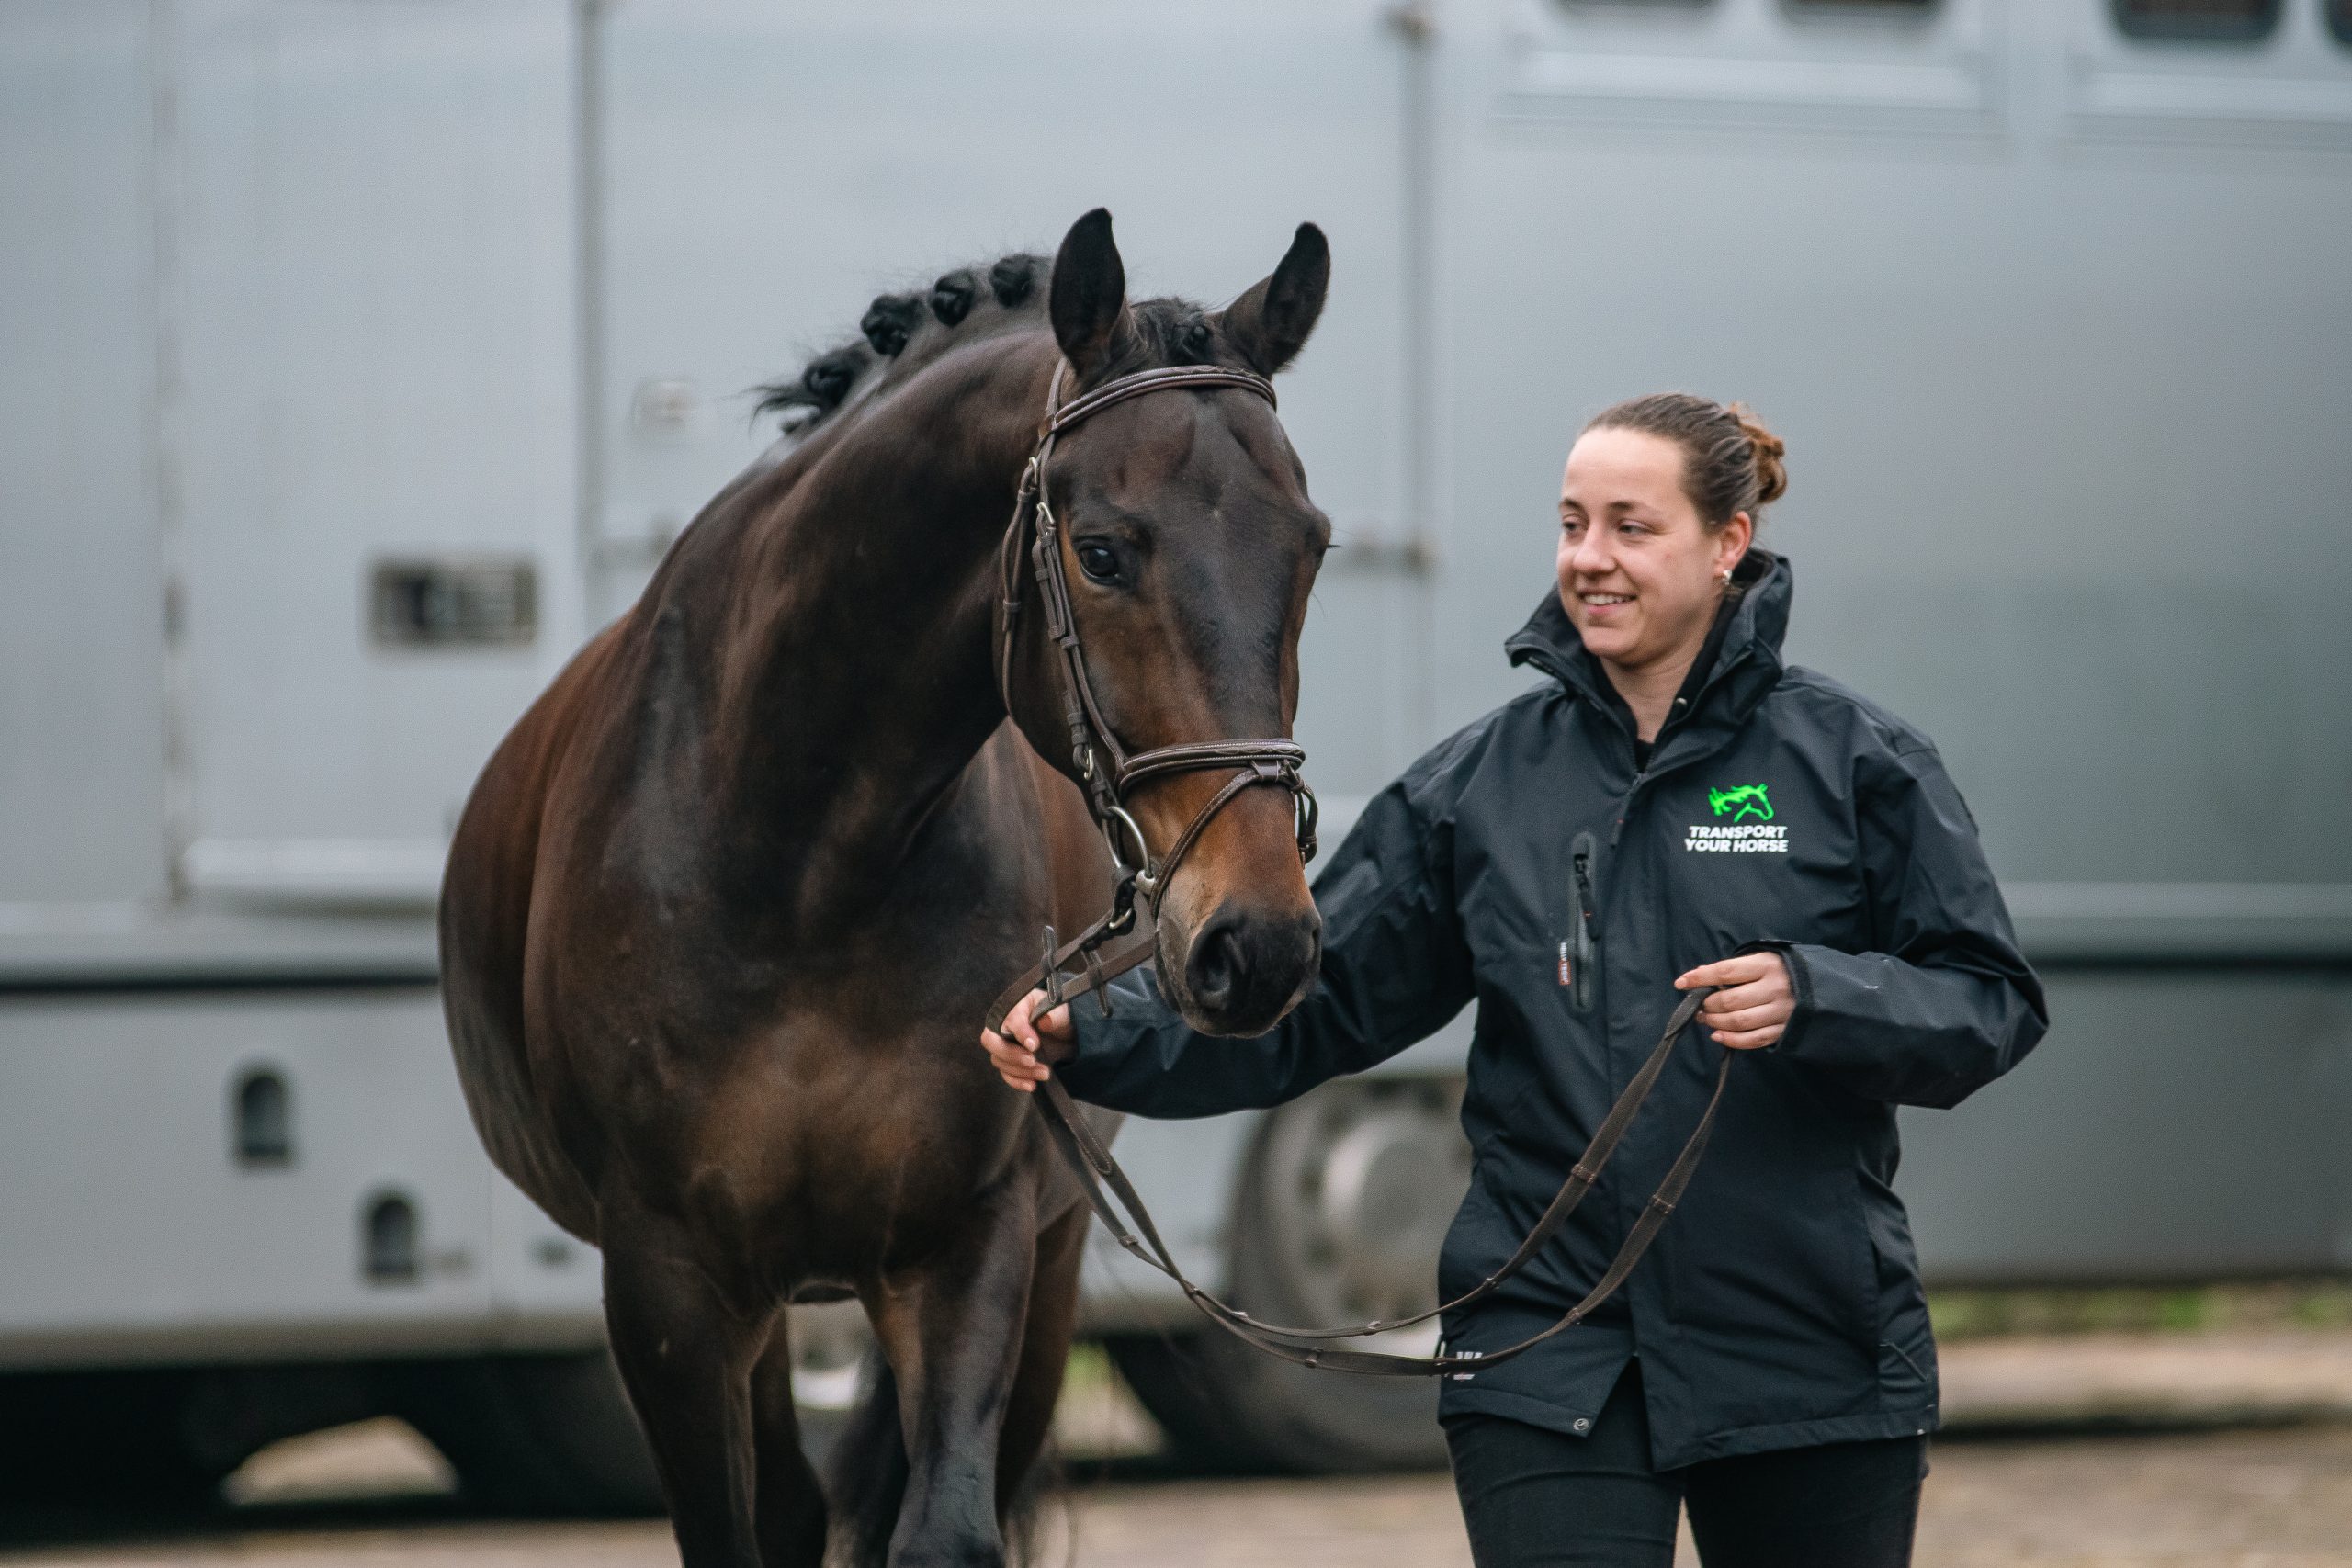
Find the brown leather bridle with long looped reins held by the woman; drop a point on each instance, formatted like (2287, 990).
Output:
(1088, 963)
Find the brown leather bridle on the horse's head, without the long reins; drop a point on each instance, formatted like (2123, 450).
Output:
(1104, 768)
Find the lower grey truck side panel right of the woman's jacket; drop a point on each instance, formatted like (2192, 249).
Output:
(2177, 1125)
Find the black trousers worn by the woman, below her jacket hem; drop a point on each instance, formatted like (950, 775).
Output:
(1537, 1499)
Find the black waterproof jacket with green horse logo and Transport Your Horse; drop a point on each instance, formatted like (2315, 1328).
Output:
(1530, 866)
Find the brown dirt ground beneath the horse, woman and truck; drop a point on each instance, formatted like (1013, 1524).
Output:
(2116, 1452)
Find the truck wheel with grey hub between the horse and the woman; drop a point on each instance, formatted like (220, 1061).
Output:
(1337, 1221)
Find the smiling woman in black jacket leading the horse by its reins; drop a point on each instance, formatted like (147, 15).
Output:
(1673, 805)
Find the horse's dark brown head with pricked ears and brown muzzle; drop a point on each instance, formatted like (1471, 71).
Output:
(1189, 547)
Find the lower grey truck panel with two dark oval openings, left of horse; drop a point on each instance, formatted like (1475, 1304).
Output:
(154, 1242)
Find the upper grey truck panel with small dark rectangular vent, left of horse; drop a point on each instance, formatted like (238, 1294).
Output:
(380, 363)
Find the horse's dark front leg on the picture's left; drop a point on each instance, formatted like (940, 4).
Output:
(688, 1365)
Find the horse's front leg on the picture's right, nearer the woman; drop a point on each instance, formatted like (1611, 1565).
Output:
(954, 1329)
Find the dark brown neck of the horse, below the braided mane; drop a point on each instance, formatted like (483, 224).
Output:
(855, 664)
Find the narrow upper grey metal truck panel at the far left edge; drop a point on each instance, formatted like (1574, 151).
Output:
(81, 570)
